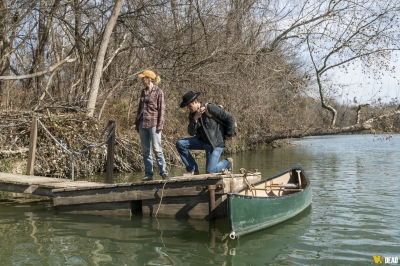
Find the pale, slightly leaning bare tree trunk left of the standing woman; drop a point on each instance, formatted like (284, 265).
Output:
(94, 89)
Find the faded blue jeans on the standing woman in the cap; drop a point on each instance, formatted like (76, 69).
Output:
(149, 138)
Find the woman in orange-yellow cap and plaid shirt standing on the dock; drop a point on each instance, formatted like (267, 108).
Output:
(150, 122)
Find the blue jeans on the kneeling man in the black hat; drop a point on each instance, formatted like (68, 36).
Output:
(212, 155)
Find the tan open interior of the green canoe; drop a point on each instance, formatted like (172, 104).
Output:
(289, 182)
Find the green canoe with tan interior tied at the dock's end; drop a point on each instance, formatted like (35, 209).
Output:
(268, 201)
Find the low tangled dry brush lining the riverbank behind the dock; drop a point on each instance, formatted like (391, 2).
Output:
(77, 131)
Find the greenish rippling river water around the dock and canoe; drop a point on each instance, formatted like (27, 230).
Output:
(353, 217)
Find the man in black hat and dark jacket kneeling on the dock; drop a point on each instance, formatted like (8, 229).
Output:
(210, 125)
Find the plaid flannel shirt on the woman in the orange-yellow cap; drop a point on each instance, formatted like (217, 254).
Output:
(151, 109)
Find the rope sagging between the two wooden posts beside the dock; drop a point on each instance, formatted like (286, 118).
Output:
(111, 130)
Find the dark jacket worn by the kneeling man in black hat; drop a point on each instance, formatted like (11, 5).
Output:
(213, 129)
